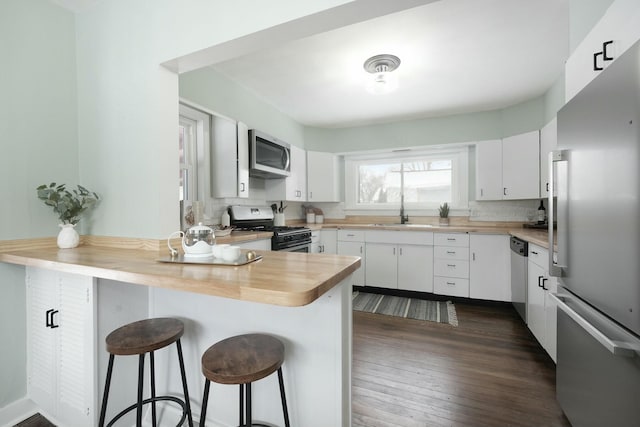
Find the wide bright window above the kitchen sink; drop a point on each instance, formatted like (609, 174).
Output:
(423, 179)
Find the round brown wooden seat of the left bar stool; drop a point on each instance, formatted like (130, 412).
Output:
(144, 336)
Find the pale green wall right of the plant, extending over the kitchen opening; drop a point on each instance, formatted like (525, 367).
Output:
(128, 109)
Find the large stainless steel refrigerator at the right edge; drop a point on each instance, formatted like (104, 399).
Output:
(596, 176)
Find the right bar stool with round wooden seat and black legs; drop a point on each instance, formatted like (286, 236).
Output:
(242, 360)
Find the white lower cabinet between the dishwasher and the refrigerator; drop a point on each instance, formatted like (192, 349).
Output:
(541, 310)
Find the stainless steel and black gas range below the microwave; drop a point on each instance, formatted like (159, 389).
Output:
(290, 239)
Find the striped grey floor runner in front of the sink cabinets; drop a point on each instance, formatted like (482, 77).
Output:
(411, 308)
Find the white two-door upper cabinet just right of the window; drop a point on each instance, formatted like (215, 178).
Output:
(508, 169)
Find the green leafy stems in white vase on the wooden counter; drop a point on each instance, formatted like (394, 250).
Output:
(69, 206)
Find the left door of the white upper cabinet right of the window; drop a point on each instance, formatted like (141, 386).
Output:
(489, 170)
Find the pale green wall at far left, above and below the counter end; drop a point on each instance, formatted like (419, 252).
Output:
(38, 143)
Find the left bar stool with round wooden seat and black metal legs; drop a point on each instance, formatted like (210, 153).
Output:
(146, 336)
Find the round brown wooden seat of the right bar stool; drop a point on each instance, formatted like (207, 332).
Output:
(242, 359)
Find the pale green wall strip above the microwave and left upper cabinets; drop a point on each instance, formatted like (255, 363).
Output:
(215, 91)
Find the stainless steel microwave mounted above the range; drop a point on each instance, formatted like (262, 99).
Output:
(268, 156)
